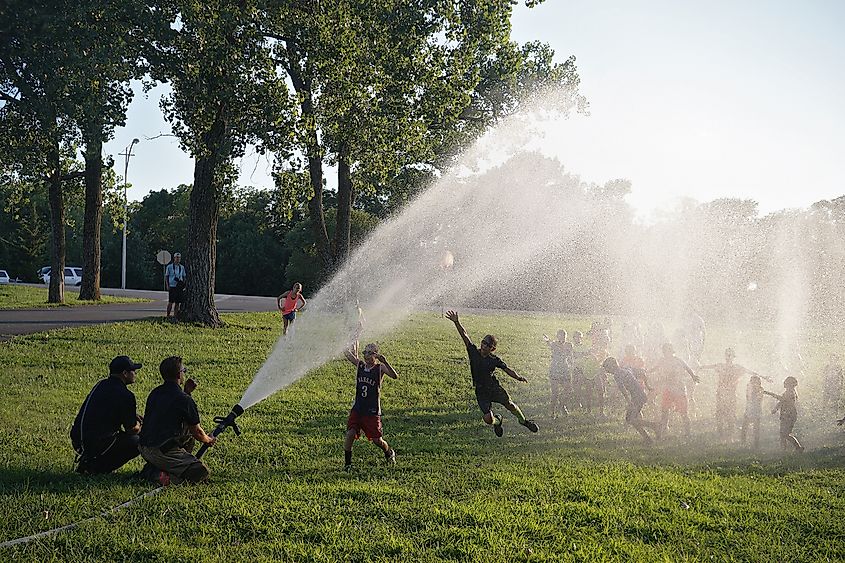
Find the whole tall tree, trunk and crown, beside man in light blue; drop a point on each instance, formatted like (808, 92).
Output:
(225, 93)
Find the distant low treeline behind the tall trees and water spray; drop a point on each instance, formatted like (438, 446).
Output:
(722, 257)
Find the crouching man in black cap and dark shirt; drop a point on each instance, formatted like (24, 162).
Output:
(96, 434)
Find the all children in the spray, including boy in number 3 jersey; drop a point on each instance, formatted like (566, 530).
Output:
(580, 374)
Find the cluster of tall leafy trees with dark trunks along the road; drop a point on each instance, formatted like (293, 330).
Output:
(381, 94)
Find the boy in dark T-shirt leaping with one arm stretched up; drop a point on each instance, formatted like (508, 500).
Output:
(488, 390)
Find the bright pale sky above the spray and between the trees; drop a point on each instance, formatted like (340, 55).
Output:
(699, 99)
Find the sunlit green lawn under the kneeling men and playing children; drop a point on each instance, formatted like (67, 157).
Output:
(580, 489)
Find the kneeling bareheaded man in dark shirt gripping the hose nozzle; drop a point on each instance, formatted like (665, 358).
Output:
(171, 425)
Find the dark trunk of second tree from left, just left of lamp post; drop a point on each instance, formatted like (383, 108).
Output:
(91, 247)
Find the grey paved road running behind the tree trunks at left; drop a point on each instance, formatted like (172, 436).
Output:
(26, 321)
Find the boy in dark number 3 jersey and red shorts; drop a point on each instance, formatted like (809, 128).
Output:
(365, 415)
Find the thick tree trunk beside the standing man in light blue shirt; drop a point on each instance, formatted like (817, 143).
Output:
(203, 214)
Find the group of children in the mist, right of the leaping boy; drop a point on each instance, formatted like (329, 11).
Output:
(578, 378)
